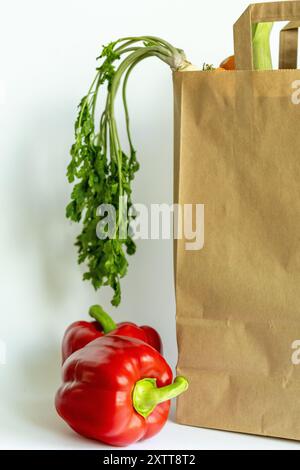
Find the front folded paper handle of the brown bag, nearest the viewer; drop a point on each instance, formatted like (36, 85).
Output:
(259, 13)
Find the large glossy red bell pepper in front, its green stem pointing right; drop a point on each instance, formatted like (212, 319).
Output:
(117, 390)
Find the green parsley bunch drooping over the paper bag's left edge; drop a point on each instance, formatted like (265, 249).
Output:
(101, 170)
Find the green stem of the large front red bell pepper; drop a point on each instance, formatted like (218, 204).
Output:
(146, 394)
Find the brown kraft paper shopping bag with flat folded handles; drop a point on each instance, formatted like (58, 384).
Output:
(237, 151)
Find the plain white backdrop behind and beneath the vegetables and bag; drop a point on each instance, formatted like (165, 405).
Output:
(47, 61)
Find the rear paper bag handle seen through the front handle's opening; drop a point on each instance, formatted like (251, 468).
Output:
(288, 54)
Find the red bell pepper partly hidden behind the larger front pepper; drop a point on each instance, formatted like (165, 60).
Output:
(81, 333)
